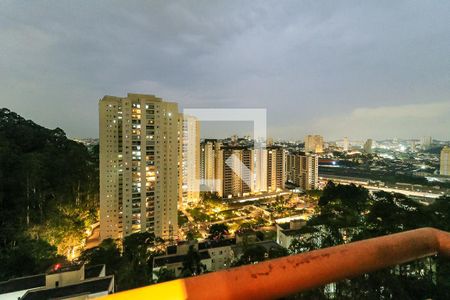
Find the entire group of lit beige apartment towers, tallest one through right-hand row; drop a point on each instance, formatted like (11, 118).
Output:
(152, 163)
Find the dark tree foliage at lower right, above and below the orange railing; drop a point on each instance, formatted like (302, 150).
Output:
(349, 213)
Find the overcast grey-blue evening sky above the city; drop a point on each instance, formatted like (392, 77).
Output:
(362, 69)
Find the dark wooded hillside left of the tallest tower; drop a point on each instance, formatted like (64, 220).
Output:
(48, 190)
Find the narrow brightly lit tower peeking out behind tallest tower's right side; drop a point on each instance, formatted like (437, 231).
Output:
(189, 160)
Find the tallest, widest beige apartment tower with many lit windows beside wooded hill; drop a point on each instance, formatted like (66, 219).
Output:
(139, 157)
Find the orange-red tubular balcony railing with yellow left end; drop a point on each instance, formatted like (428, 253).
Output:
(292, 274)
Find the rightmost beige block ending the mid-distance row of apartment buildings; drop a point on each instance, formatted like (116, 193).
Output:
(303, 170)
